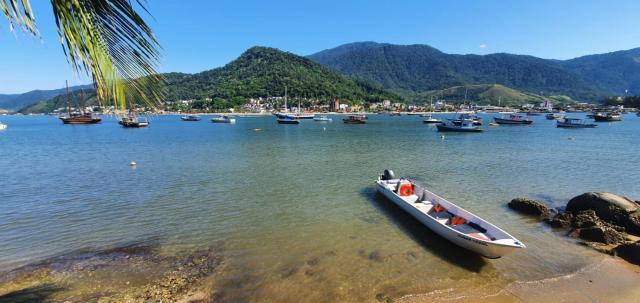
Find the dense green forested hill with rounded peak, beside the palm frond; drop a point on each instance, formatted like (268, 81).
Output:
(264, 72)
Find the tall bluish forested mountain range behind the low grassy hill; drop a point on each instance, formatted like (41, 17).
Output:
(408, 69)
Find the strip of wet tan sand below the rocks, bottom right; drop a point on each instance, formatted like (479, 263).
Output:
(611, 280)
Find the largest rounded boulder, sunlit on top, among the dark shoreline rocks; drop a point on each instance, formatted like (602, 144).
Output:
(609, 207)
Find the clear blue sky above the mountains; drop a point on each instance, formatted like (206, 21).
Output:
(198, 35)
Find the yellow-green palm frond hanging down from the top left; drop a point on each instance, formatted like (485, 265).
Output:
(109, 41)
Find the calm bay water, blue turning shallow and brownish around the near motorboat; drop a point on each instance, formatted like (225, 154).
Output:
(293, 207)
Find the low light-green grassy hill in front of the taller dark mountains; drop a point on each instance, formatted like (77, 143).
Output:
(486, 94)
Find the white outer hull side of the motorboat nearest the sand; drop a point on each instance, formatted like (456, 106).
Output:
(492, 251)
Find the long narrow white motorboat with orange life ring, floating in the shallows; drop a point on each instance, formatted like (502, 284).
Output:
(447, 219)
